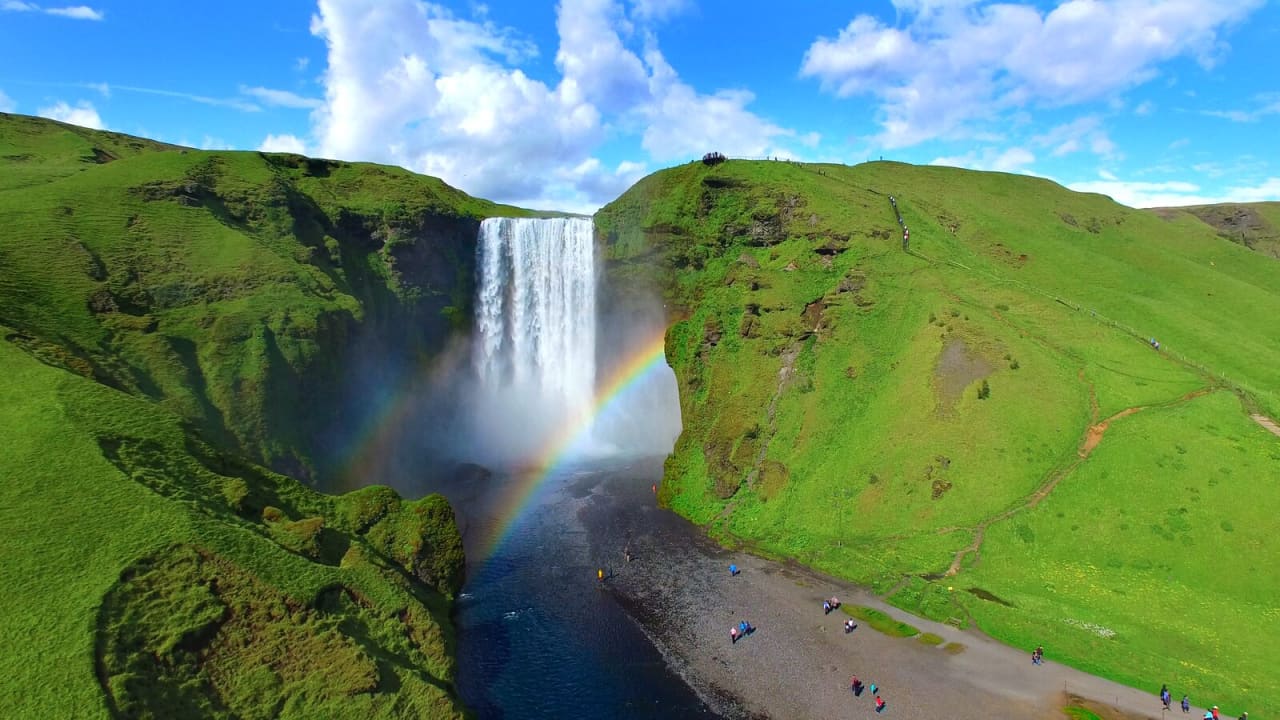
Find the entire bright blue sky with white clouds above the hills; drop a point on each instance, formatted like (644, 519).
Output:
(565, 104)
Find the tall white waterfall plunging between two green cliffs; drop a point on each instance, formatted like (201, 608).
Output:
(534, 349)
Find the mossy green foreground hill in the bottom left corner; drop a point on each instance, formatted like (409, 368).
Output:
(150, 566)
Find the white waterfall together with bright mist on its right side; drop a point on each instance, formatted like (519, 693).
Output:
(545, 340)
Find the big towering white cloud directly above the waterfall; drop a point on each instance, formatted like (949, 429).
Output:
(417, 85)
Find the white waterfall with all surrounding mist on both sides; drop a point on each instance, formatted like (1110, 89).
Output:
(548, 329)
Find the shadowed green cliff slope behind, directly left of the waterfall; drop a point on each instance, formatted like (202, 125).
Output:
(226, 286)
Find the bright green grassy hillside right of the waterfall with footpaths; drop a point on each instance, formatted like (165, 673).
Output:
(870, 468)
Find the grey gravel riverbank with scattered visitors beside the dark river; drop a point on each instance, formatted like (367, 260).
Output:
(799, 662)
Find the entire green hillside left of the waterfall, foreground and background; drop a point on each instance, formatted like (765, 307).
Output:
(175, 323)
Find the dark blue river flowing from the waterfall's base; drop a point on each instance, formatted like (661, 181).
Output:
(540, 636)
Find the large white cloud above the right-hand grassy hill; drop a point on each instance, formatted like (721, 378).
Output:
(959, 62)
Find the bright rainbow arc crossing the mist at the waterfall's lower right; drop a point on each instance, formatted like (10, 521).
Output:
(636, 367)
